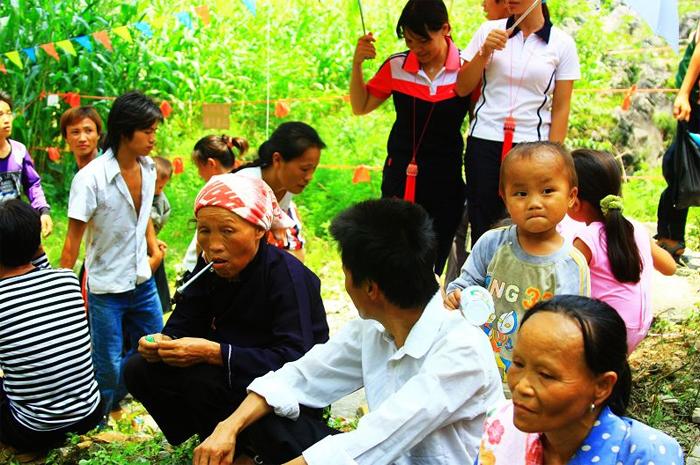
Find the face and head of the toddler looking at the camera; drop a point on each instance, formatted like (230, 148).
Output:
(537, 192)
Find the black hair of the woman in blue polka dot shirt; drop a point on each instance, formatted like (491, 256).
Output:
(604, 340)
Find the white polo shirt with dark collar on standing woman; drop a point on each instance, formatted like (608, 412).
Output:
(528, 89)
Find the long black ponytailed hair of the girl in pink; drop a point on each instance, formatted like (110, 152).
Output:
(599, 176)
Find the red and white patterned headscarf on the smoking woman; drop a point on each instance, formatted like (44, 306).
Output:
(250, 198)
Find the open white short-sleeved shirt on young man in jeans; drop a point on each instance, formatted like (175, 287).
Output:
(115, 248)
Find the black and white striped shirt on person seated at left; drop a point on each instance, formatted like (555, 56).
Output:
(45, 350)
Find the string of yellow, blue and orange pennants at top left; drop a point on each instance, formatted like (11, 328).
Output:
(102, 37)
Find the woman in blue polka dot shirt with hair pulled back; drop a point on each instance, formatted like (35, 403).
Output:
(570, 384)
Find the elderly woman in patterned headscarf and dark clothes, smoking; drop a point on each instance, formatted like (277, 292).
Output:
(259, 308)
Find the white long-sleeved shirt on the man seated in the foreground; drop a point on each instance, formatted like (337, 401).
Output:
(427, 400)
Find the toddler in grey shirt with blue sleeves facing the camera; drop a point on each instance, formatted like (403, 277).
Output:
(528, 261)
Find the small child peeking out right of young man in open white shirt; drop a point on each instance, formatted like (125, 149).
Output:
(160, 213)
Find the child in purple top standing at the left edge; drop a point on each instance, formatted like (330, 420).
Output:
(17, 175)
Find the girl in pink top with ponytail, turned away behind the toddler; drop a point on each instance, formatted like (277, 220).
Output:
(619, 252)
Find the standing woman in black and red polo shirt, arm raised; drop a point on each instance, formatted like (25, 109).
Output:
(429, 115)
